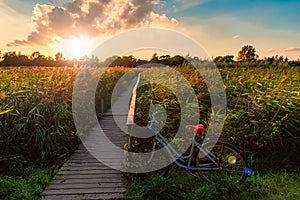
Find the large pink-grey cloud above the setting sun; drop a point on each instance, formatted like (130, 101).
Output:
(91, 18)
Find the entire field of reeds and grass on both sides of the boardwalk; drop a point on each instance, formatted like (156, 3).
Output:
(37, 133)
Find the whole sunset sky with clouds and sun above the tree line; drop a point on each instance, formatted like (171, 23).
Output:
(221, 27)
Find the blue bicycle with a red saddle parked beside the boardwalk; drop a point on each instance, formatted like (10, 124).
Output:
(224, 162)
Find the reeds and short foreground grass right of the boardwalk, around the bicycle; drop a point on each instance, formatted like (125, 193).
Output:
(262, 114)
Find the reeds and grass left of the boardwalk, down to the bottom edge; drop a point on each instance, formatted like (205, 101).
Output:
(37, 132)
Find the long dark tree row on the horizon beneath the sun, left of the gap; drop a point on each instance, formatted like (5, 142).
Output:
(37, 59)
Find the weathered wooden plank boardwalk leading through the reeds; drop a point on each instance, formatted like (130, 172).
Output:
(83, 176)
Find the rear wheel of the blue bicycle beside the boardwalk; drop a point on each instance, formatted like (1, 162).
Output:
(228, 158)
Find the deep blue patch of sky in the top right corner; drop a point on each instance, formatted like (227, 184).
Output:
(273, 14)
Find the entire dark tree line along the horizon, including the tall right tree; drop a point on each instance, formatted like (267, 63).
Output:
(247, 57)
